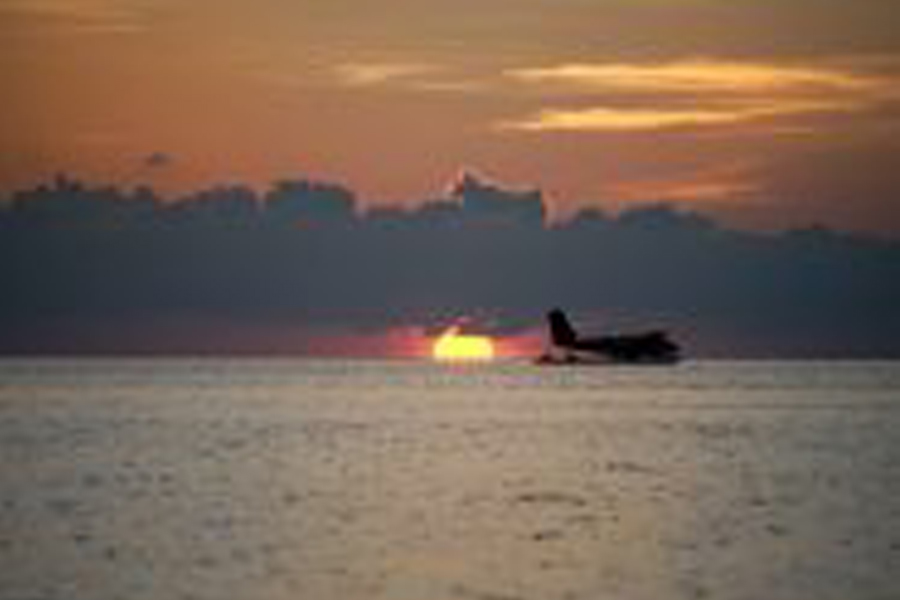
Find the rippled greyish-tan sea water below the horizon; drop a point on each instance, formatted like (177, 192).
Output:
(242, 479)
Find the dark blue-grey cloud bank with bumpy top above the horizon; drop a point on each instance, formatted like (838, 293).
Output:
(98, 270)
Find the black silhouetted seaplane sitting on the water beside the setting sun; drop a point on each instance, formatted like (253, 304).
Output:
(651, 347)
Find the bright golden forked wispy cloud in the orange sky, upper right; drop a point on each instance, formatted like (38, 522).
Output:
(685, 94)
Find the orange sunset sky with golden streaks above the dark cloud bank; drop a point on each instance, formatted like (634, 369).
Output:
(765, 113)
